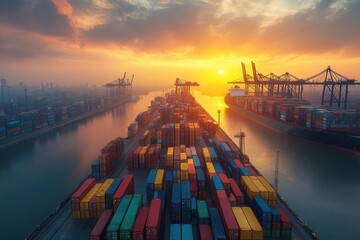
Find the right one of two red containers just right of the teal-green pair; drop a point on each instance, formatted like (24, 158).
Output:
(153, 223)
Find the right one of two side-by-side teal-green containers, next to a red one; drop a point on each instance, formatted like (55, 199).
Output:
(129, 219)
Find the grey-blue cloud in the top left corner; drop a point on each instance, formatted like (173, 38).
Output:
(38, 16)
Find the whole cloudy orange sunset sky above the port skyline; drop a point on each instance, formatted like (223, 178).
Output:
(71, 42)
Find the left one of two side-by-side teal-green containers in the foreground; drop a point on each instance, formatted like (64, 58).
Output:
(114, 226)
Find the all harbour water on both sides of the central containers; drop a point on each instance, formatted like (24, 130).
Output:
(321, 184)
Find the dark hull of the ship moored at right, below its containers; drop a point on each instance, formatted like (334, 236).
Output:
(342, 140)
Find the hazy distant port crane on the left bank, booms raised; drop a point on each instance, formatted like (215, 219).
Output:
(120, 87)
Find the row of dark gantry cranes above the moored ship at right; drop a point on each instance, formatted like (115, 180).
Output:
(335, 86)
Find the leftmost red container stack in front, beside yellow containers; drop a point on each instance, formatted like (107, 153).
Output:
(79, 195)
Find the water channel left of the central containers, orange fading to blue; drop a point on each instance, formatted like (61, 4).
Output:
(37, 175)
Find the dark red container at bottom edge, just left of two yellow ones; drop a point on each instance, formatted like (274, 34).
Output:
(230, 223)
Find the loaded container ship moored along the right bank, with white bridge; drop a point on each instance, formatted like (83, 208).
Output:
(299, 118)
